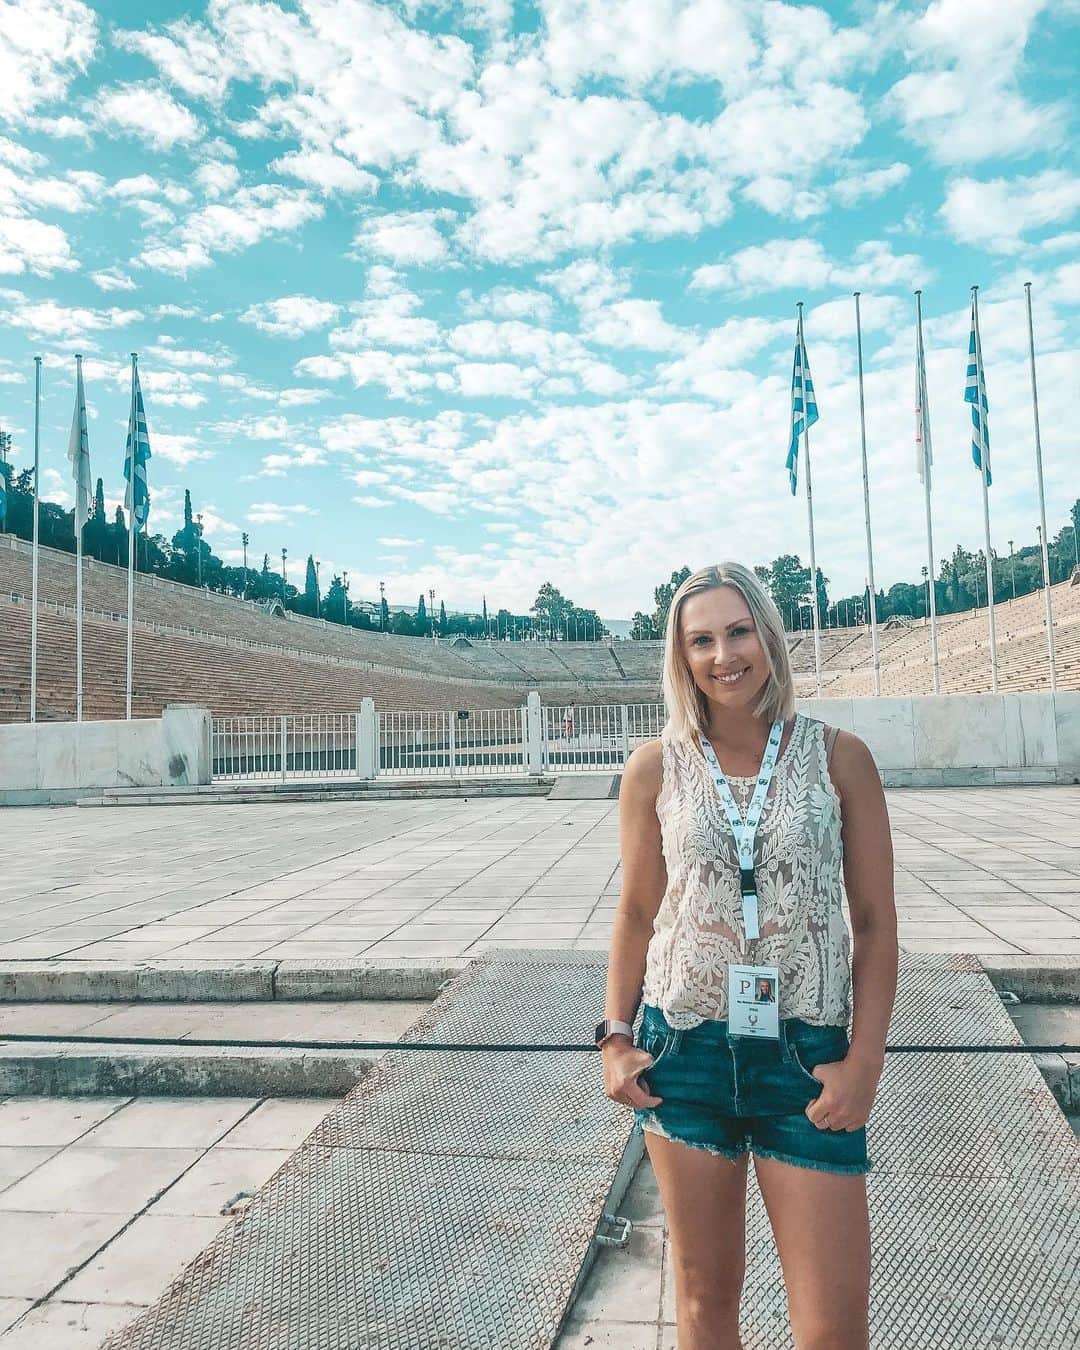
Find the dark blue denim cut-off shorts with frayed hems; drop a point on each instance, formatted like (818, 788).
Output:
(726, 1094)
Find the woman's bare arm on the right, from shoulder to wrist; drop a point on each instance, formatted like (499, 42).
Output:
(869, 882)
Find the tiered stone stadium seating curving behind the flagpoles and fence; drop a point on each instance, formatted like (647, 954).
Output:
(200, 646)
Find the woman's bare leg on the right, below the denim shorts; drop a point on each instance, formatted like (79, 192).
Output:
(821, 1225)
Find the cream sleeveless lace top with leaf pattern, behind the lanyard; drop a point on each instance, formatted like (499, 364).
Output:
(799, 854)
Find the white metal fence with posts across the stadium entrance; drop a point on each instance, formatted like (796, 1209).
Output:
(489, 742)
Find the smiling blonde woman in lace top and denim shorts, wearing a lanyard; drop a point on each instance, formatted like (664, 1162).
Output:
(745, 969)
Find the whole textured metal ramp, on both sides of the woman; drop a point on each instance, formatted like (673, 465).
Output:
(450, 1202)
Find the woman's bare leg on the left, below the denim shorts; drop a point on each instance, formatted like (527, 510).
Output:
(705, 1201)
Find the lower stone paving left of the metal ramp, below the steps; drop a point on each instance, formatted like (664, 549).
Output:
(103, 1201)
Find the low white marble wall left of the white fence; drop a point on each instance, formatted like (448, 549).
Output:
(146, 753)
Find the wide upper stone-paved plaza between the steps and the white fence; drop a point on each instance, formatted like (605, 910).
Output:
(978, 870)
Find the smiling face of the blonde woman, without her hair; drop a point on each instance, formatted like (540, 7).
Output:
(723, 650)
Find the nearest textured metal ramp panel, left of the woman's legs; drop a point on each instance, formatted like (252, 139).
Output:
(373, 1251)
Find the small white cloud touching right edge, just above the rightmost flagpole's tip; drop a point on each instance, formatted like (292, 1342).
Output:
(996, 215)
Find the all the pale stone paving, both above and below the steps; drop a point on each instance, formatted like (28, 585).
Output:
(102, 1201)
